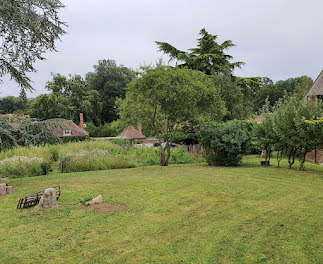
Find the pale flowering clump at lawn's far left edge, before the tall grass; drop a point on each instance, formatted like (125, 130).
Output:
(17, 167)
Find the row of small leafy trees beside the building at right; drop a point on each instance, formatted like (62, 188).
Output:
(289, 128)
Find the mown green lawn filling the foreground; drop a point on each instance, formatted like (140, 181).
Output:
(176, 214)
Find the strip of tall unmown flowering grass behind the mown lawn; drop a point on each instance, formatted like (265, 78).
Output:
(92, 155)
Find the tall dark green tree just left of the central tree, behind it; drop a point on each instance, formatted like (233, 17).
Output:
(110, 81)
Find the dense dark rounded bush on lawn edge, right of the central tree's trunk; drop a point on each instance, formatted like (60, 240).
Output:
(226, 142)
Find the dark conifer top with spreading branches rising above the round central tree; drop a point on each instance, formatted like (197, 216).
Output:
(209, 56)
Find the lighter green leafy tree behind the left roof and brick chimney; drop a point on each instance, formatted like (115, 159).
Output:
(68, 97)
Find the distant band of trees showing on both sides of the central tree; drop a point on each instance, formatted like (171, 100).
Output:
(95, 94)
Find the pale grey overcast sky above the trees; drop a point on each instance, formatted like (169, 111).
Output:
(278, 39)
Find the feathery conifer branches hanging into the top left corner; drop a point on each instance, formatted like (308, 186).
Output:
(28, 29)
